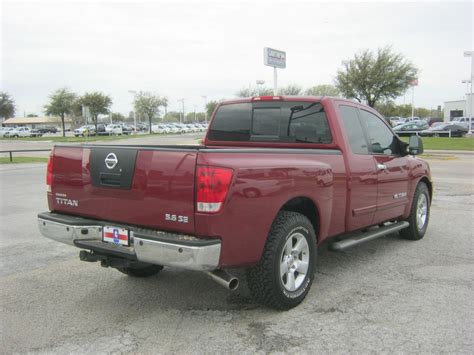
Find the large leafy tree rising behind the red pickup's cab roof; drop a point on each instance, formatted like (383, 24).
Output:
(373, 77)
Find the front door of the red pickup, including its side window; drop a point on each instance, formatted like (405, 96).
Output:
(392, 168)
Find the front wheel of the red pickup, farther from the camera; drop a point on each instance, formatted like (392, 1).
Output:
(419, 214)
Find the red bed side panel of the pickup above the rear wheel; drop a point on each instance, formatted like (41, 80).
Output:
(262, 184)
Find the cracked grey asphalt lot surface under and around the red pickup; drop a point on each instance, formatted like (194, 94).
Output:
(389, 295)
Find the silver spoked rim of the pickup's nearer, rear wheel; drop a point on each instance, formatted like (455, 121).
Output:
(294, 262)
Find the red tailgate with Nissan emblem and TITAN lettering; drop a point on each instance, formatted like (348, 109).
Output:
(143, 186)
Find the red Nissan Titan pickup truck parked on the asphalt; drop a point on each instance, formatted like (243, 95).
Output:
(274, 178)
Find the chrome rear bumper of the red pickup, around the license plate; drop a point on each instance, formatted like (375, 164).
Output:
(154, 247)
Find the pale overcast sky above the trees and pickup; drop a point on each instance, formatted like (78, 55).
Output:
(192, 49)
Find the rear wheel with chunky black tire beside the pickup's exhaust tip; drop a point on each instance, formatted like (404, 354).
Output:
(284, 274)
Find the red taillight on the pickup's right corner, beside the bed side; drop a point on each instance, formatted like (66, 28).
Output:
(212, 184)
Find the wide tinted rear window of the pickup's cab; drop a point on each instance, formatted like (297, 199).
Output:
(279, 121)
